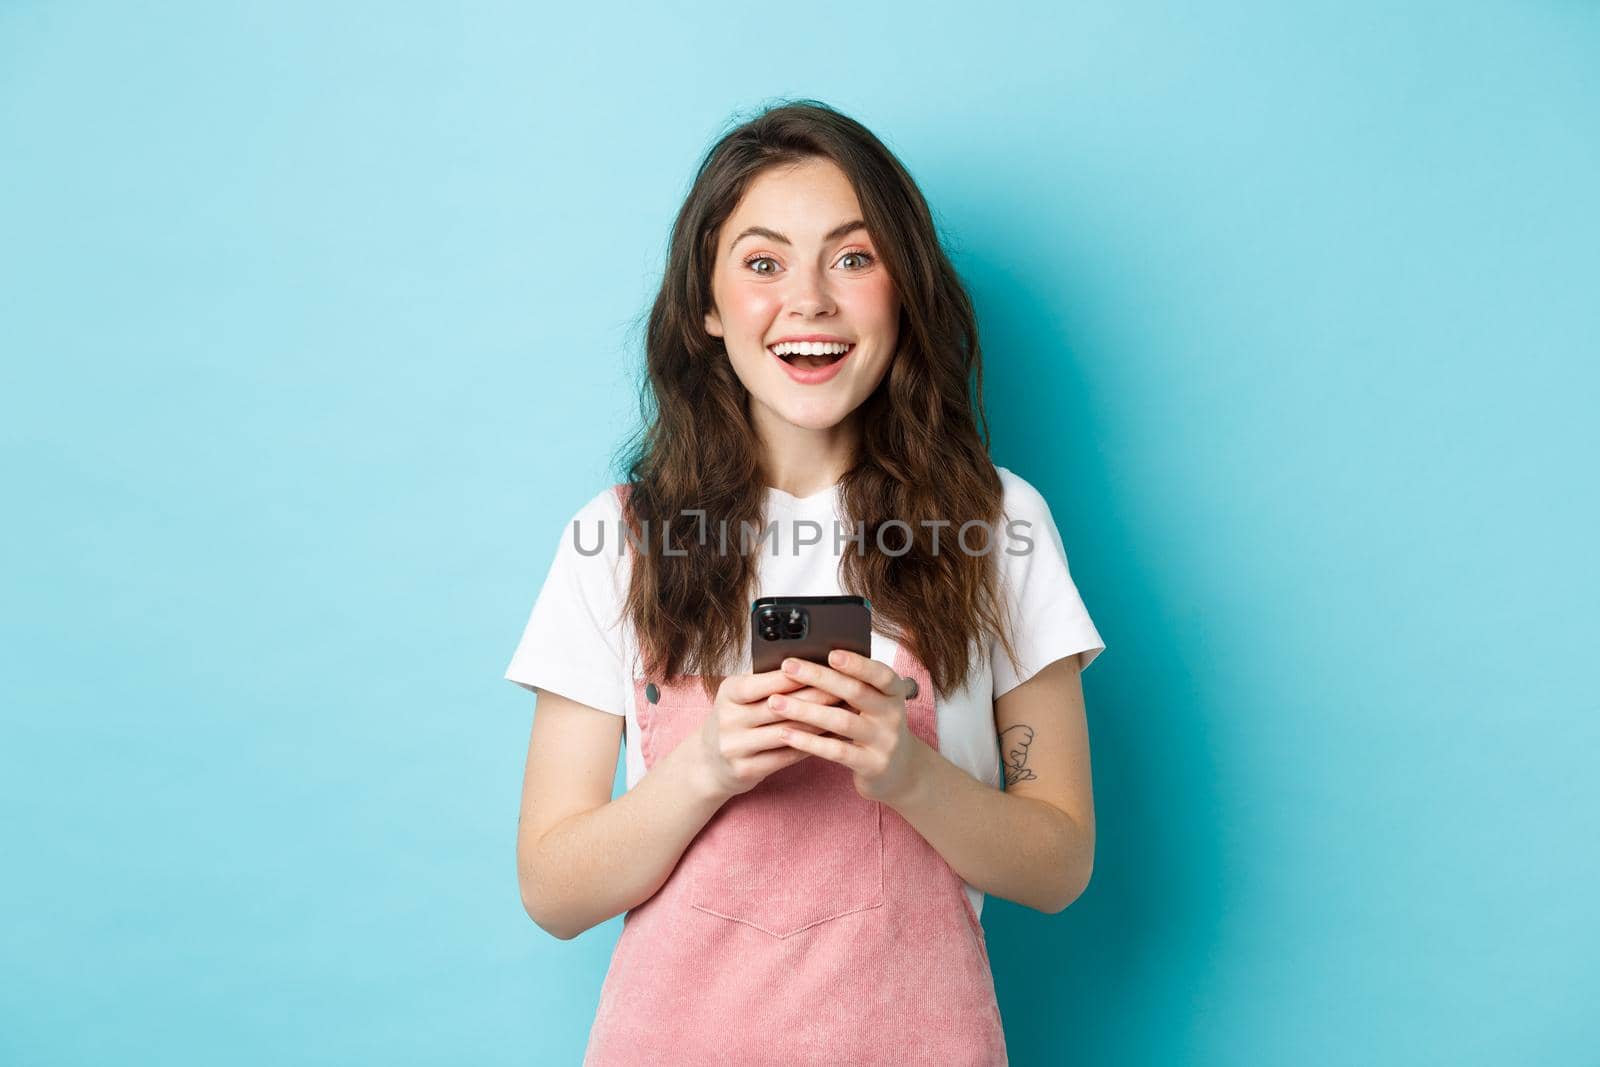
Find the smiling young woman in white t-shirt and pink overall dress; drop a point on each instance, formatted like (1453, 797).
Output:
(802, 853)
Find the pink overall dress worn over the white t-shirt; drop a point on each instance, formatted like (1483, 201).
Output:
(802, 925)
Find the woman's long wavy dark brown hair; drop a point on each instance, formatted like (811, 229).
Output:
(922, 455)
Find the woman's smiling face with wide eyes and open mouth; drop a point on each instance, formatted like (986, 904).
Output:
(796, 262)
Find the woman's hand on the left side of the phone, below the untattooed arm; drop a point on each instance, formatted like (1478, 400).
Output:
(738, 743)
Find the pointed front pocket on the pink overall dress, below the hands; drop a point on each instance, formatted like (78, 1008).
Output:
(801, 849)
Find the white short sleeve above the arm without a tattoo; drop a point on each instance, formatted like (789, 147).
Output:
(574, 639)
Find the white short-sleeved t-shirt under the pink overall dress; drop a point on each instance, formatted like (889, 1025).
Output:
(578, 645)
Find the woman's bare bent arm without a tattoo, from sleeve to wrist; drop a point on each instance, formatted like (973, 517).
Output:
(582, 857)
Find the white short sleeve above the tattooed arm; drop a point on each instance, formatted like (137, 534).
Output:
(1049, 618)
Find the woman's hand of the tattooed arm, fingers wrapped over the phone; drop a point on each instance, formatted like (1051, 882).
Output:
(873, 735)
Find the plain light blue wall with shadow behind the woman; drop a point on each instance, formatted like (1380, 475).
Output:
(319, 321)
